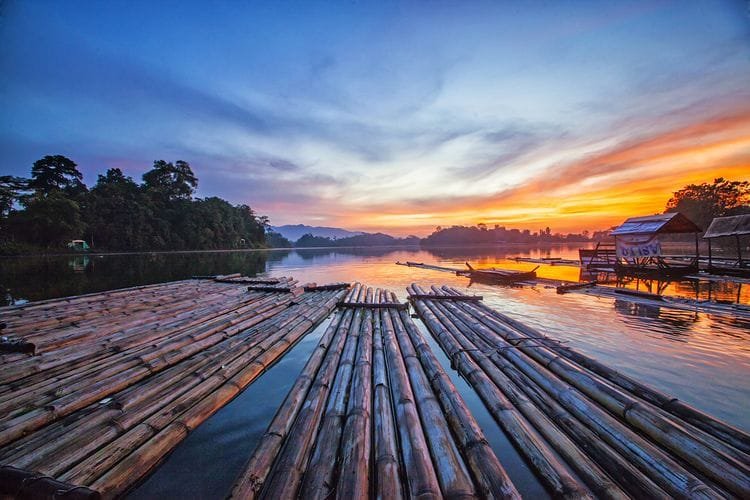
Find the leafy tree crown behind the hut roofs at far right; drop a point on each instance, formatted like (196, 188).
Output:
(701, 203)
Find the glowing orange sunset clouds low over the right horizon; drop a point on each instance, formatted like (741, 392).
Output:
(597, 191)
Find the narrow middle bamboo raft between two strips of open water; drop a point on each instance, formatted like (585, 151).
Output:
(373, 415)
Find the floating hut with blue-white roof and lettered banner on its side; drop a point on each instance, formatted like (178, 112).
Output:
(639, 246)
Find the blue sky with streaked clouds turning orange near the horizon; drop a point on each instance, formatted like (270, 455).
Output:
(389, 116)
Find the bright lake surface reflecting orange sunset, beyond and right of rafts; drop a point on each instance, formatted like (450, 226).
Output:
(653, 344)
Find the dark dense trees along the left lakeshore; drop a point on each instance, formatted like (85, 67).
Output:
(54, 206)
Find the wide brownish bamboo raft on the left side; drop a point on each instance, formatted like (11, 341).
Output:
(121, 377)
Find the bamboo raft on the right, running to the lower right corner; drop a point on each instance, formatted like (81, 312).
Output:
(618, 436)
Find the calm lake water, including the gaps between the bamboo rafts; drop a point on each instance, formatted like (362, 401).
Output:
(703, 359)
